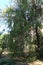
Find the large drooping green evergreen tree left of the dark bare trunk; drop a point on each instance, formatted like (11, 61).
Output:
(19, 27)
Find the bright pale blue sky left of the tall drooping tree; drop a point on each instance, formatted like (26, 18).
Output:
(3, 26)
